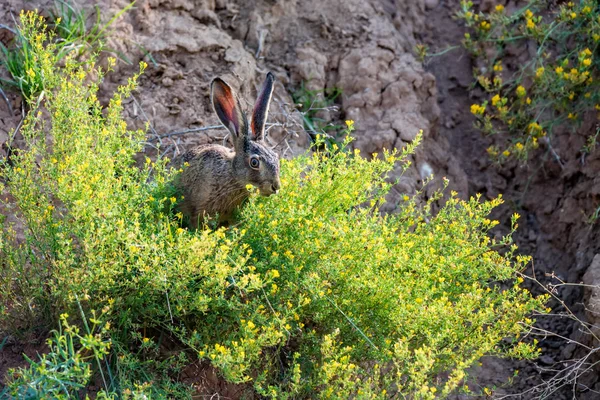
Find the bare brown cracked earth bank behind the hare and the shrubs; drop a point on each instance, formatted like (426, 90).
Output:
(365, 48)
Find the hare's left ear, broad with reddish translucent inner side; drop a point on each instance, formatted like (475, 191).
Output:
(228, 109)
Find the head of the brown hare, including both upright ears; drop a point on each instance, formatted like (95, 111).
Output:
(254, 163)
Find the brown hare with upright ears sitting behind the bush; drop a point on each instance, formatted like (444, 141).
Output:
(214, 178)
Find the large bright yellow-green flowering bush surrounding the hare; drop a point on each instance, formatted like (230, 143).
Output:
(313, 294)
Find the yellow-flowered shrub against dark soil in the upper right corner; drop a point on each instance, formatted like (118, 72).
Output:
(559, 82)
